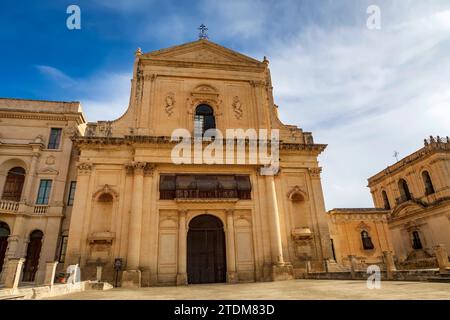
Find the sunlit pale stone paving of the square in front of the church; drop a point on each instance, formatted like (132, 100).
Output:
(293, 289)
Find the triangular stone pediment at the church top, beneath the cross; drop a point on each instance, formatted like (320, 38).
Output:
(202, 51)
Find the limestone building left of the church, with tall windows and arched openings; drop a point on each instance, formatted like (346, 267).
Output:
(36, 160)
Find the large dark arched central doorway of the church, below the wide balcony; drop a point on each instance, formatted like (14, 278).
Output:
(206, 259)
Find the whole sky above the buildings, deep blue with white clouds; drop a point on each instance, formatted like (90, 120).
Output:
(363, 92)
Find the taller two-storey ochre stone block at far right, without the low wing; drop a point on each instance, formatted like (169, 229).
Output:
(416, 190)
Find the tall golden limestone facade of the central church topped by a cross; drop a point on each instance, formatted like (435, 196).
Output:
(130, 201)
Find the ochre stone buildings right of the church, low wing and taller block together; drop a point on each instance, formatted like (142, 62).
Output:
(411, 214)
